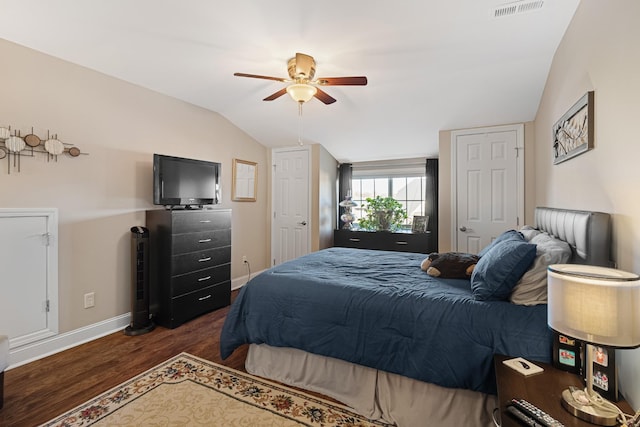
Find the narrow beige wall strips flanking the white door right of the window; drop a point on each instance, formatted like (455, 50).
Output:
(444, 183)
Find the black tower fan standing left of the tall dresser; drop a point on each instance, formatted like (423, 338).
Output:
(140, 319)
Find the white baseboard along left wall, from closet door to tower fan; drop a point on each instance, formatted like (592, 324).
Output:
(38, 350)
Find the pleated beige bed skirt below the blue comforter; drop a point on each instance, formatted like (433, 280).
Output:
(376, 394)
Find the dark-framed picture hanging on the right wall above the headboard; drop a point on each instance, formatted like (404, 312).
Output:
(573, 133)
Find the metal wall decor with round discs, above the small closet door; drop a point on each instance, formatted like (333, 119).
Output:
(13, 147)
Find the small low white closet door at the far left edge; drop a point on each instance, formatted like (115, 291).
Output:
(28, 265)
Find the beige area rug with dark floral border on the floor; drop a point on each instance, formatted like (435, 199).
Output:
(189, 391)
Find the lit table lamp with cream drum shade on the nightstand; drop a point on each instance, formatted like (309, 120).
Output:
(599, 306)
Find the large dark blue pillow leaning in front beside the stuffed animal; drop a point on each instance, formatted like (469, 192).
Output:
(499, 270)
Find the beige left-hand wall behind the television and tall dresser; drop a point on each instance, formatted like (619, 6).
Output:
(102, 195)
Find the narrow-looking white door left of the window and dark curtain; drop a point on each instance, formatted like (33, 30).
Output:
(291, 201)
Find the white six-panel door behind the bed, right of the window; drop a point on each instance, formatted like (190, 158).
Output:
(488, 184)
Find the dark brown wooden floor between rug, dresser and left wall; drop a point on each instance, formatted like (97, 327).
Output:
(41, 390)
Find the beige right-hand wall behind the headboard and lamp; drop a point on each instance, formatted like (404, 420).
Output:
(599, 52)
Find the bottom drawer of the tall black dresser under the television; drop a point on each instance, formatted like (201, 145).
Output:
(191, 305)
